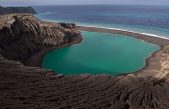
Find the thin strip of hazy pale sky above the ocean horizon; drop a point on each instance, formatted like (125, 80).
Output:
(67, 2)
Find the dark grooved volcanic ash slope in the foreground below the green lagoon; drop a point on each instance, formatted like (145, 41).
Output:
(34, 88)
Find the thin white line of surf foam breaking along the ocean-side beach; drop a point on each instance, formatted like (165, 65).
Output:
(147, 34)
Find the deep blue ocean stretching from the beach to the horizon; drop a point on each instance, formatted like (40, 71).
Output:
(145, 19)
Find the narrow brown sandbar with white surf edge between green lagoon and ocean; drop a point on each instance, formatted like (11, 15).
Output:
(154, 39)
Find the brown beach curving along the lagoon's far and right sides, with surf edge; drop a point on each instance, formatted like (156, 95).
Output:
(153, 39)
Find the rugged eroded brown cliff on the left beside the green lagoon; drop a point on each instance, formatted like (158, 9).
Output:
(21, 36)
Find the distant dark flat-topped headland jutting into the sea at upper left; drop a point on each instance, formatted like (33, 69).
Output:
(9, 10)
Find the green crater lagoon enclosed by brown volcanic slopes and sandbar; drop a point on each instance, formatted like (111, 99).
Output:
(100, 53)
